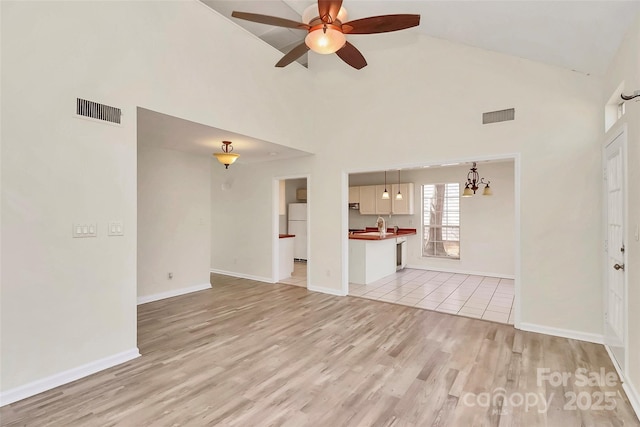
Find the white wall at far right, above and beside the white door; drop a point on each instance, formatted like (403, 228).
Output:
(625, 69)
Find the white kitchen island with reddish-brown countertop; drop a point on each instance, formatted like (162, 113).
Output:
(373, 256)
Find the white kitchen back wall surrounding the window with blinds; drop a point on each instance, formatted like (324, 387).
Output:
(487, 224)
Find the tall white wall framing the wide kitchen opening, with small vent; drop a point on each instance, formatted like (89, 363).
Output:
(426, 108)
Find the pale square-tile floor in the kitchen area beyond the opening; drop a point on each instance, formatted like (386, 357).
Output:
(480, 297)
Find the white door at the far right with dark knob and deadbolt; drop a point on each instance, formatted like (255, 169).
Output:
(615, 280)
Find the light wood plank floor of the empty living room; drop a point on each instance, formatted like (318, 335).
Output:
(252, 354)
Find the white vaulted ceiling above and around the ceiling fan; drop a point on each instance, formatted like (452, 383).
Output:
(578, 35)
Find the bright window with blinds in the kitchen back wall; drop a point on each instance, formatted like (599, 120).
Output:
(441, 220)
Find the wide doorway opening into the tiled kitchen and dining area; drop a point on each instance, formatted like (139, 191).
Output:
(481, 281)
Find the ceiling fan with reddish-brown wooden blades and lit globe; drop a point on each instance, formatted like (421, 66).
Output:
(327, 28)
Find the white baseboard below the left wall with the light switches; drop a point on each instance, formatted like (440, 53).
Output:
(56, 380)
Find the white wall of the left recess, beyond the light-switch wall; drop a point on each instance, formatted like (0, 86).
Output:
(174, 221)
